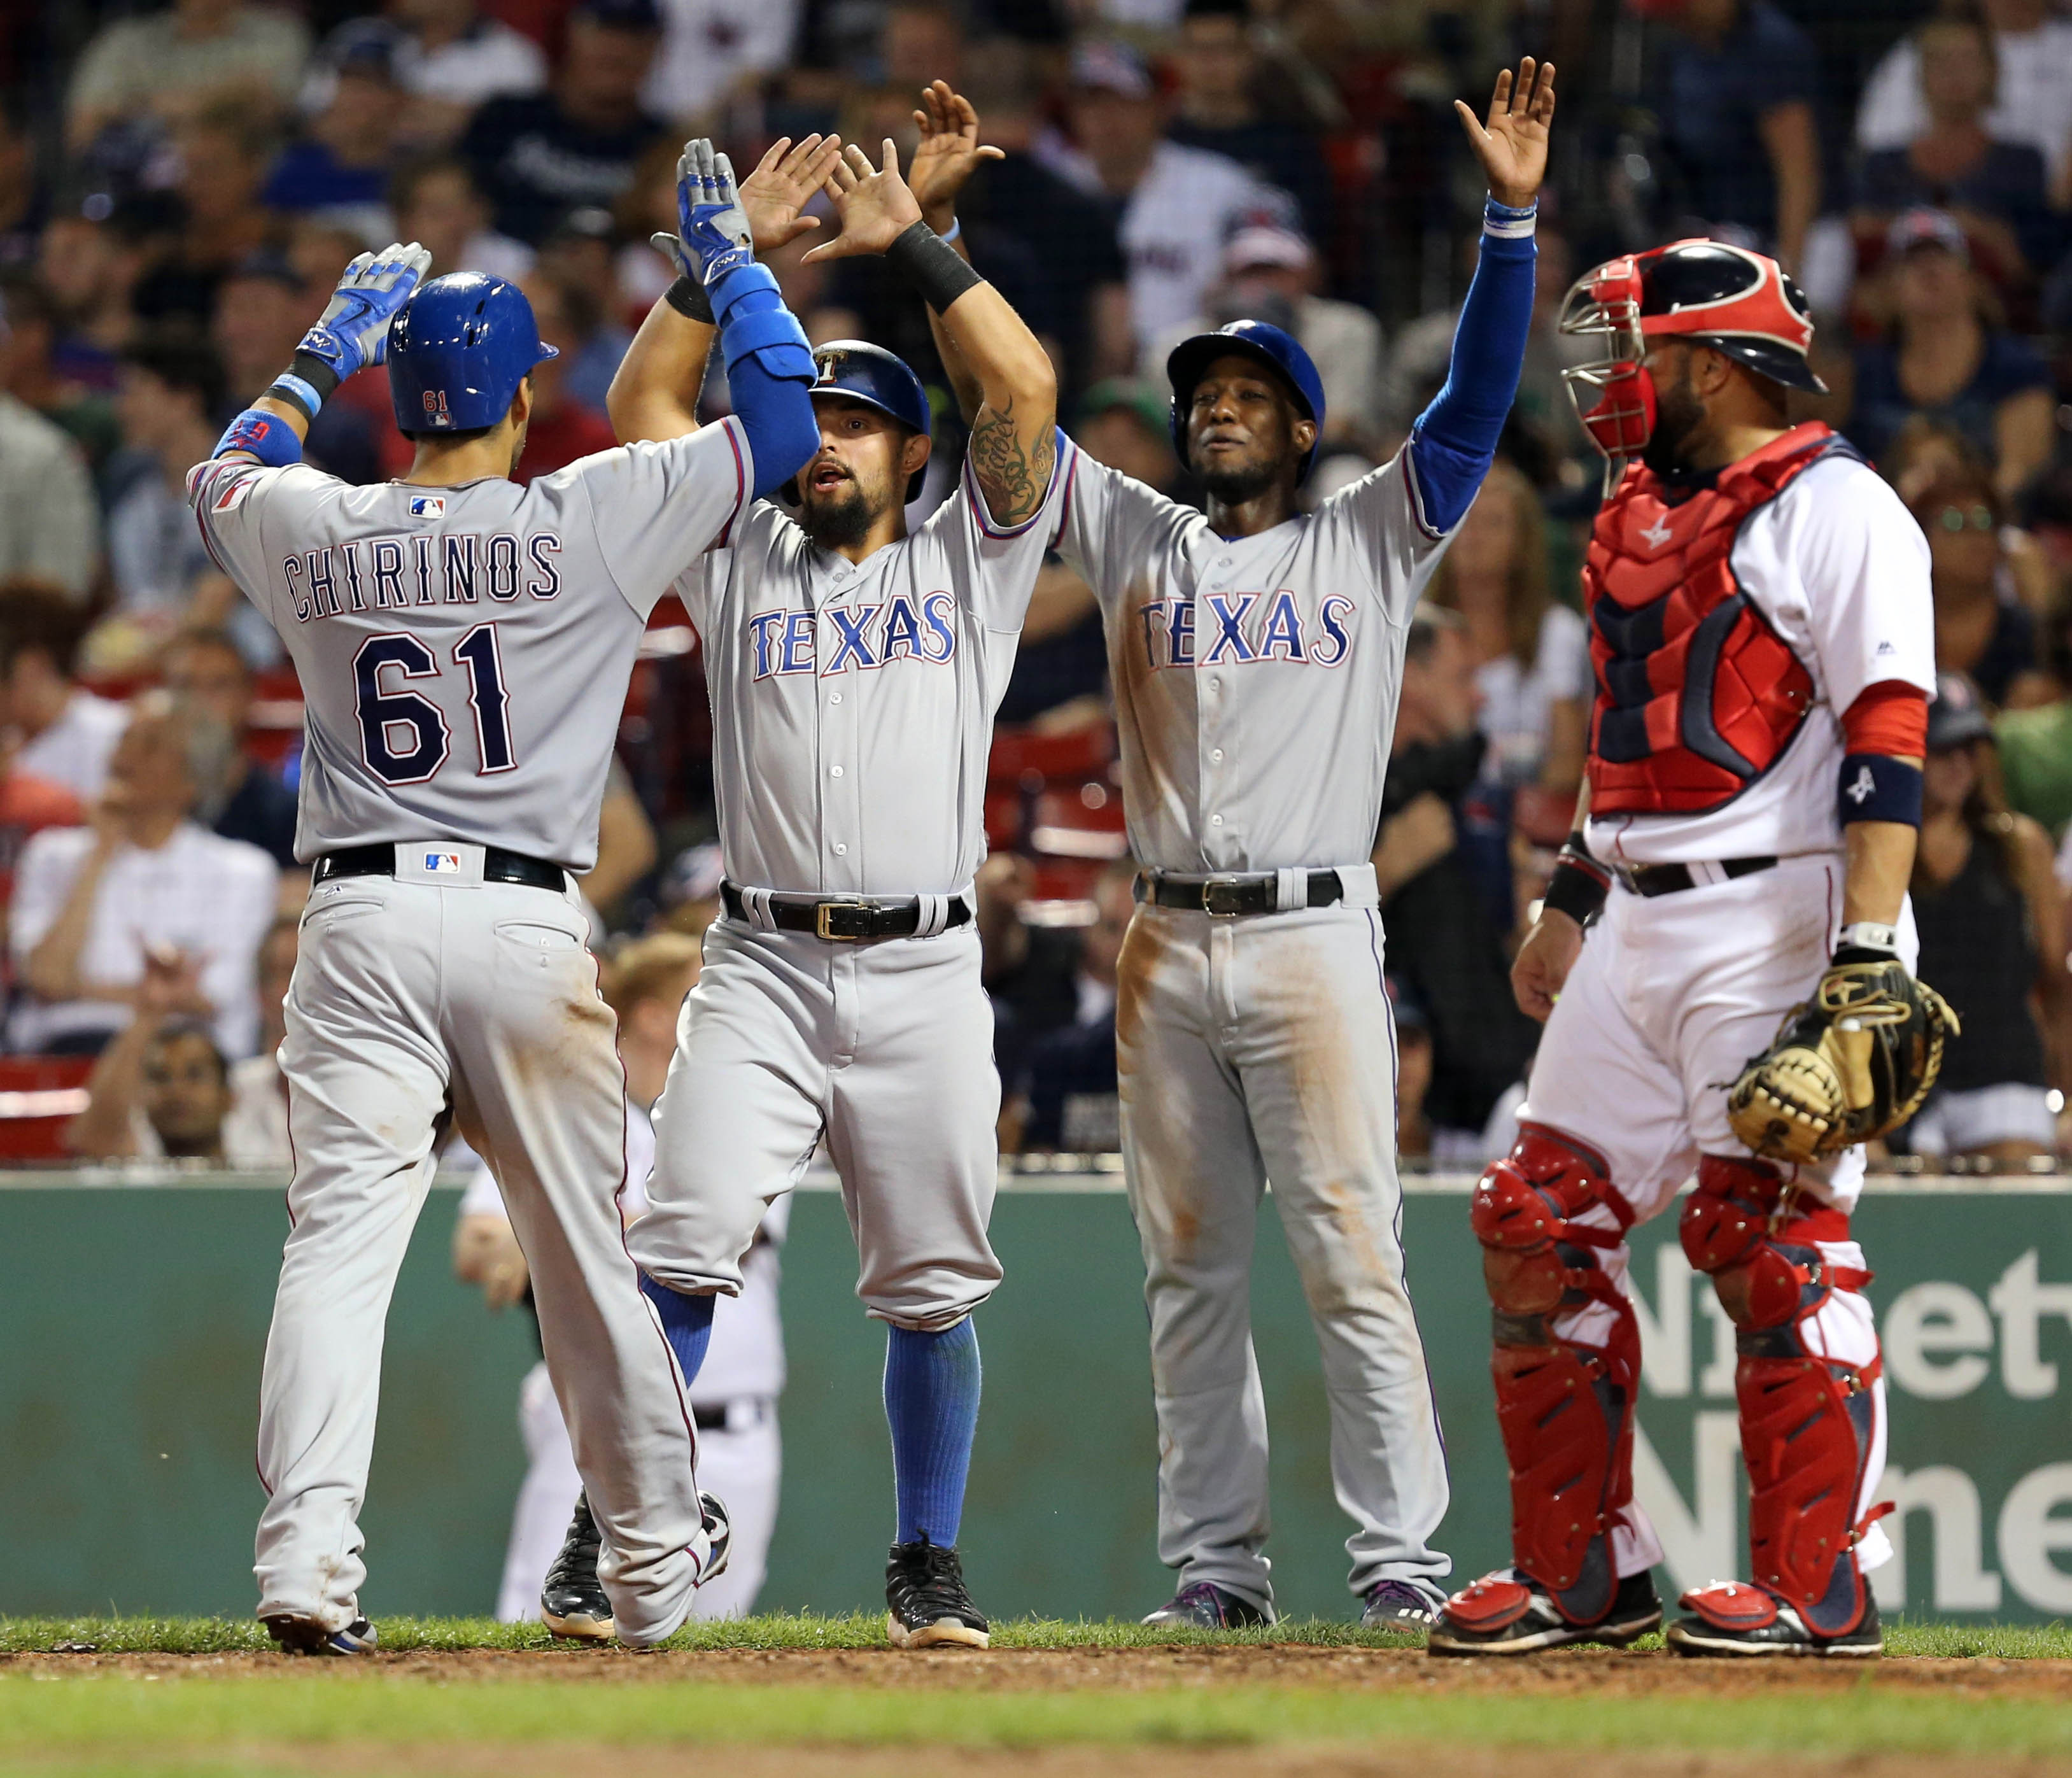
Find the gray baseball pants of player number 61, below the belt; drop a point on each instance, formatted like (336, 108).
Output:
(407, 998)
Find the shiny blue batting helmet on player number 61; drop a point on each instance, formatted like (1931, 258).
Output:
(459, 351)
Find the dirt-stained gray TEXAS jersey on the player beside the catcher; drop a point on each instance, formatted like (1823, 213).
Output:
(1255, 679)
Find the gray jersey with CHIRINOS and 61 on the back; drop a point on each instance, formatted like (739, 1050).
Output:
(465, 650)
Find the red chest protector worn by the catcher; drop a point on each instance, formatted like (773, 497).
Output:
(1696, 693)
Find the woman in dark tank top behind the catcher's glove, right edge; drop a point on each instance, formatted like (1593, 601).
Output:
(1994, 946)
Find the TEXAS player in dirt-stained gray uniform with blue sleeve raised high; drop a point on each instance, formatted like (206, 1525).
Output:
(1257, 658)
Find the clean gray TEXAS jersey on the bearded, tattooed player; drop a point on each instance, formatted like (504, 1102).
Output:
(853, 704)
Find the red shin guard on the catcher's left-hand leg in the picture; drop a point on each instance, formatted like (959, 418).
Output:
(1565, 1410)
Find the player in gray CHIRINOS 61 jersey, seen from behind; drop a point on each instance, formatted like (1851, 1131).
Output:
(463, 648)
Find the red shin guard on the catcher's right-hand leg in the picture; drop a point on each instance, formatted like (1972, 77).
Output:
(1808, 1421)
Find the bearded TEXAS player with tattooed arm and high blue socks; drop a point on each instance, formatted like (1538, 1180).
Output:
(855, 672)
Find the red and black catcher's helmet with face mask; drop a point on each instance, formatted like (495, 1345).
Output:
(1704, 291)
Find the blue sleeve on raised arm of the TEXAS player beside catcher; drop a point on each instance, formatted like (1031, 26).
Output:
(1456, 438)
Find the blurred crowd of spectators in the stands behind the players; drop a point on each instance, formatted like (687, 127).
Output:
(181, 183)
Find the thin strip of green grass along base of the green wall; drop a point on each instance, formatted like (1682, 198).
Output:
(867, 1630)
